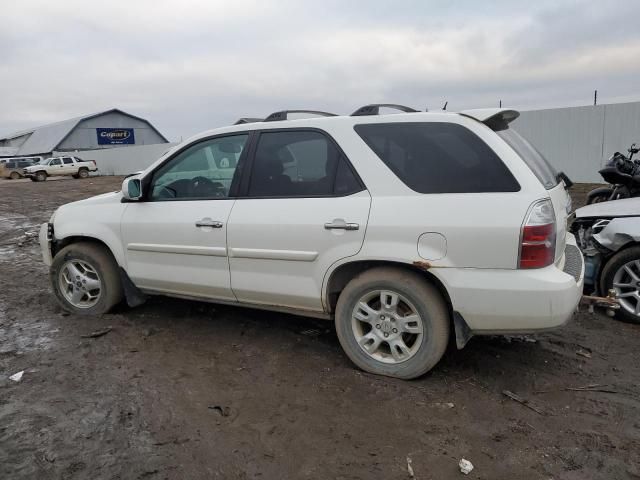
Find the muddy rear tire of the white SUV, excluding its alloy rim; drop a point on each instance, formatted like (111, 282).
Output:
(428, 303)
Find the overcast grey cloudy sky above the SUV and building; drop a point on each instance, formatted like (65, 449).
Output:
(190, 65)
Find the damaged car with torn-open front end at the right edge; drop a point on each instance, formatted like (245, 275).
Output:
(608, 234)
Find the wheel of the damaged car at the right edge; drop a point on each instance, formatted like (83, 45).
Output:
(622, 274)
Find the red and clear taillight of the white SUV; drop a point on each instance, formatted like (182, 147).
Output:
(538, 244)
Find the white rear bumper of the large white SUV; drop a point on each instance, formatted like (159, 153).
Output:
(518, 301)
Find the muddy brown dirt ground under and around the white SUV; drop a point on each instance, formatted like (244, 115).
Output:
(181, 389)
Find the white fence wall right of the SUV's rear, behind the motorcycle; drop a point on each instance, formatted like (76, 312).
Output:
(579, 140)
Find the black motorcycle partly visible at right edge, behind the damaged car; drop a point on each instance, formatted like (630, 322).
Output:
(623, 173)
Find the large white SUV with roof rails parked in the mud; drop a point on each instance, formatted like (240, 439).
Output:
(408, 229)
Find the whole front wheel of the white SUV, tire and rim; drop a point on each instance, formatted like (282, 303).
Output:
(85, 279)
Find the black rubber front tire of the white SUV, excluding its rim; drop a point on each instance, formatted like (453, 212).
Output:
(103, 263)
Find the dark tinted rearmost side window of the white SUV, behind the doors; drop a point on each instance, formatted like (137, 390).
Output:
(433, 157)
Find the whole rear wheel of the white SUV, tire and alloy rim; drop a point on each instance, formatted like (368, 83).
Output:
(392, 322)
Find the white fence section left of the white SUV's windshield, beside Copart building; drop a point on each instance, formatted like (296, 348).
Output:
(123, 160)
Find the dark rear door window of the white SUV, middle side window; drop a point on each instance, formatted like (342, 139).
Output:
(300, 164)
